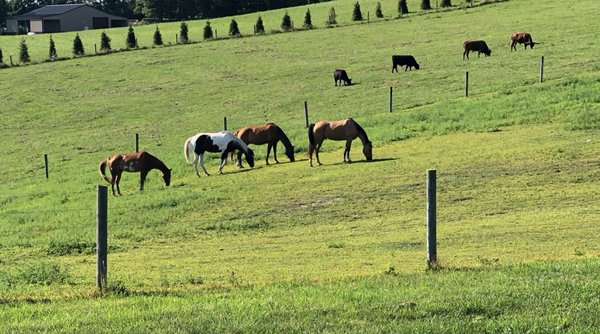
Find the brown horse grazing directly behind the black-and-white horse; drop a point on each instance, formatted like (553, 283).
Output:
(268, 134)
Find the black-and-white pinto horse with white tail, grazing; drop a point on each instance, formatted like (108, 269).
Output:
(221, 142)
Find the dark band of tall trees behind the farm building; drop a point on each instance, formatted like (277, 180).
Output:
(158, 10)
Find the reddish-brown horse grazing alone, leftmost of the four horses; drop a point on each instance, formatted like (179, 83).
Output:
(141, 162)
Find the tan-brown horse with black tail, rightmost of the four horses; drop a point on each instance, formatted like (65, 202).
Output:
(346, 129)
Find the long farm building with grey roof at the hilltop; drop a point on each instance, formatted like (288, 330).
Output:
(59, 18)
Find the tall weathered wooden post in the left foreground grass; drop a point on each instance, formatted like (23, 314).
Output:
(102, 237)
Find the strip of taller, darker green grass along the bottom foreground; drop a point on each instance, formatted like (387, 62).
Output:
(553, 296)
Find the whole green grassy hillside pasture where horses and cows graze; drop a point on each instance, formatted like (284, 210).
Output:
(336, 248)
